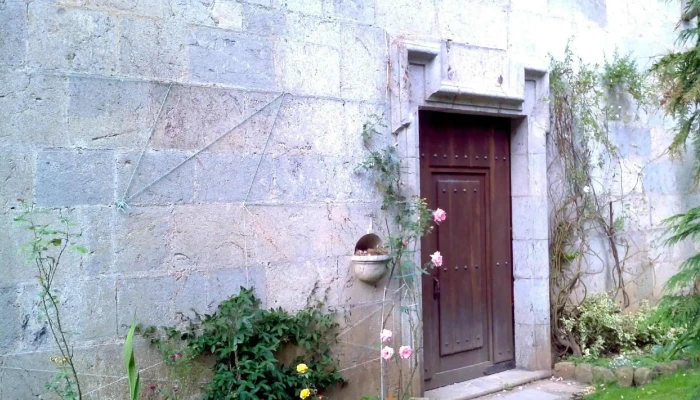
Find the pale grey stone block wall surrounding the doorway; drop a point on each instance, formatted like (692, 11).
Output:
(275, 203)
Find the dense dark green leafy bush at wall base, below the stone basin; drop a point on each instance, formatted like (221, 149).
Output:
(248, 343)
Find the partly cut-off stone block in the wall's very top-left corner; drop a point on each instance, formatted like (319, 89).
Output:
(13, 19)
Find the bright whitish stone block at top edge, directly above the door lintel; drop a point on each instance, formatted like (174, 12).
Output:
(487, 25)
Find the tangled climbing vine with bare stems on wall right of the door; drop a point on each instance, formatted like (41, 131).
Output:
(587, 212)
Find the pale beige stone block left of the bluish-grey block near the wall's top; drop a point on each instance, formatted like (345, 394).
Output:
(155, 49)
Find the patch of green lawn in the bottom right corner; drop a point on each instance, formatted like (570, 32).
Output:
(683, 385)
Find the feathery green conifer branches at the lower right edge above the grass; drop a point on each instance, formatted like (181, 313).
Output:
(680, 305)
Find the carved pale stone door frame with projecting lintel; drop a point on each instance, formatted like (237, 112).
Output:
(421, 79)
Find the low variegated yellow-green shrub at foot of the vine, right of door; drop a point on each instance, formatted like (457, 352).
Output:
(602, 328)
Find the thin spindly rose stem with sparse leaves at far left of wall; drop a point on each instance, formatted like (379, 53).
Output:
(49, 243)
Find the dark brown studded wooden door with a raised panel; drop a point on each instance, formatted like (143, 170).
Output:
(468, 301)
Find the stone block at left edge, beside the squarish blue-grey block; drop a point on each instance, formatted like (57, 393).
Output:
(17, 175)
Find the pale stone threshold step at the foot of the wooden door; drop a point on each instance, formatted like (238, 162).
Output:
(486, 385)
